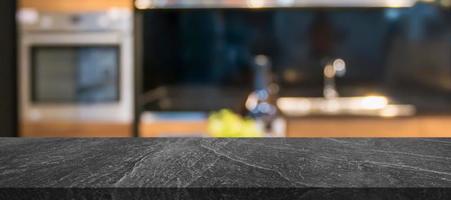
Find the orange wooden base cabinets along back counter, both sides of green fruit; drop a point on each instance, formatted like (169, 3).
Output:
(420, 126)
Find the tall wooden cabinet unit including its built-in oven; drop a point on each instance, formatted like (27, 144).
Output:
(108, 84)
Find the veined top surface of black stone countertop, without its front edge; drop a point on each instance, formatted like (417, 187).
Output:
(225, 162)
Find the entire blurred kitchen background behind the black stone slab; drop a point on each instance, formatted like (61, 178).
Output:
(225, 68)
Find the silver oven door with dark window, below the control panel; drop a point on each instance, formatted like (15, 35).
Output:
(83, 76)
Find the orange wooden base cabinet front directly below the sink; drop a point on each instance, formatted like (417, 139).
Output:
(420, 126)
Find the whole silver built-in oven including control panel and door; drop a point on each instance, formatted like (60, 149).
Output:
(76, 67)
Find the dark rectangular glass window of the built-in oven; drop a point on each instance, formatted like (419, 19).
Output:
(75, 74)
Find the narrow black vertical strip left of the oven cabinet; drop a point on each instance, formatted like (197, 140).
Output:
(8, 100)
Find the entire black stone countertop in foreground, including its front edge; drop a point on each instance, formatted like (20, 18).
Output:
(189, 168)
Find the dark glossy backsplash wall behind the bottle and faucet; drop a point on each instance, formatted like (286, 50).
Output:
(201, 58)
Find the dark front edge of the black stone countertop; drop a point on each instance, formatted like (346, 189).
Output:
(228, 193)
